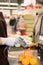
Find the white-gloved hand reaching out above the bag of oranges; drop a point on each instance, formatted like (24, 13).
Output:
(20, 41)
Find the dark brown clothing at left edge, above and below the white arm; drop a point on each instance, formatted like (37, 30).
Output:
(3, 48)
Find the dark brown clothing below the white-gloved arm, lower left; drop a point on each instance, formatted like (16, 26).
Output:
(3, 55)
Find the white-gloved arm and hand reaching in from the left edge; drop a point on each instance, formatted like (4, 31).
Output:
(12, 41)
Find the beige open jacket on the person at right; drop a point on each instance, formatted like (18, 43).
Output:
(36, 27)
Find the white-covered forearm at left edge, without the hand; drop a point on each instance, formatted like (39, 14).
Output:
(7, 41)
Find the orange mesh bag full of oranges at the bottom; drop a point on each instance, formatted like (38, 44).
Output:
(27, 58)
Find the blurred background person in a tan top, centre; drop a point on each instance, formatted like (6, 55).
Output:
(21, 25)
